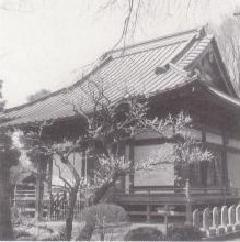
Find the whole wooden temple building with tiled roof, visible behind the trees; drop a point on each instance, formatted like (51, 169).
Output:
(179, 72)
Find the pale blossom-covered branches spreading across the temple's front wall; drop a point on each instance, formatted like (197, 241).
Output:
(172, 129)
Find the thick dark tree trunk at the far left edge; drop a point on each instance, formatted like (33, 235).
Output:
(6, 230)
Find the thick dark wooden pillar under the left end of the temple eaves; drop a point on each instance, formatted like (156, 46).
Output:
(41, 172)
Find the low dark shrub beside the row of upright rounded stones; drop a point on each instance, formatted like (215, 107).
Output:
(184, 234)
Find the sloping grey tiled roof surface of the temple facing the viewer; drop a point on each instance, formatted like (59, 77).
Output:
(154, 66)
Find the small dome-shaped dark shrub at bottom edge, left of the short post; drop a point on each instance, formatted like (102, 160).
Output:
(144, 233)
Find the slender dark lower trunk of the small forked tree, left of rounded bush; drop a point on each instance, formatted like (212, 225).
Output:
(69, 219)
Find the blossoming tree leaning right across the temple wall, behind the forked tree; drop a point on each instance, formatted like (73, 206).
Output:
(133, 116)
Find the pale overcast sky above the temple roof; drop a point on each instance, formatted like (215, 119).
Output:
(44, 43)
